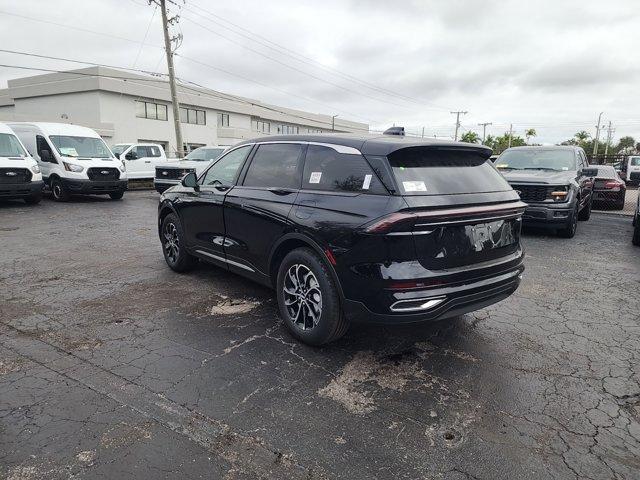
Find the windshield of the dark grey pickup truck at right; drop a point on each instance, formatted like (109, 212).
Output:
(538, 159)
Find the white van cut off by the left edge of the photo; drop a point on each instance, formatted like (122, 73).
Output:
(20, 175)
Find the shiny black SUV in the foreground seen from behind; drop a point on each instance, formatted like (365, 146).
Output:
(381, 229)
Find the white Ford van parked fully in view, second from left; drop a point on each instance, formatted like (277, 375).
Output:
(73, 159)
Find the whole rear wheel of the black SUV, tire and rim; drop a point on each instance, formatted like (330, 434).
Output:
(311, 325)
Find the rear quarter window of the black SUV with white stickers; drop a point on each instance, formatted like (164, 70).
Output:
(326, 169)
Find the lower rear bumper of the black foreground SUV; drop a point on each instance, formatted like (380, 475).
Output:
(453, 300)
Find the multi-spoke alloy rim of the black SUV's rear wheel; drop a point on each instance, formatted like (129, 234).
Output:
(302, 296)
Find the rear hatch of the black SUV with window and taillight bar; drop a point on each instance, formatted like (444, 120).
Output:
(460, 210)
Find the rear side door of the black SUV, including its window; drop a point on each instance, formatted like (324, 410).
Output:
(256, 212)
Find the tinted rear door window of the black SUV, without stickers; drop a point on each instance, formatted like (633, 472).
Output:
(275, 165)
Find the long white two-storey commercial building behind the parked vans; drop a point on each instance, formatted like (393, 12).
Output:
(125, 108)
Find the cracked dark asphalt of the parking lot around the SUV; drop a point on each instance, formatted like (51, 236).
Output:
(113, 366)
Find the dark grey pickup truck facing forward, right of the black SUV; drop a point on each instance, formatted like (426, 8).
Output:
(555, 182)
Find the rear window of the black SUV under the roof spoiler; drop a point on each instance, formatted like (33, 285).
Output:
(428, 171)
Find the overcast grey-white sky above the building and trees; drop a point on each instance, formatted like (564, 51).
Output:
(550, 65)
